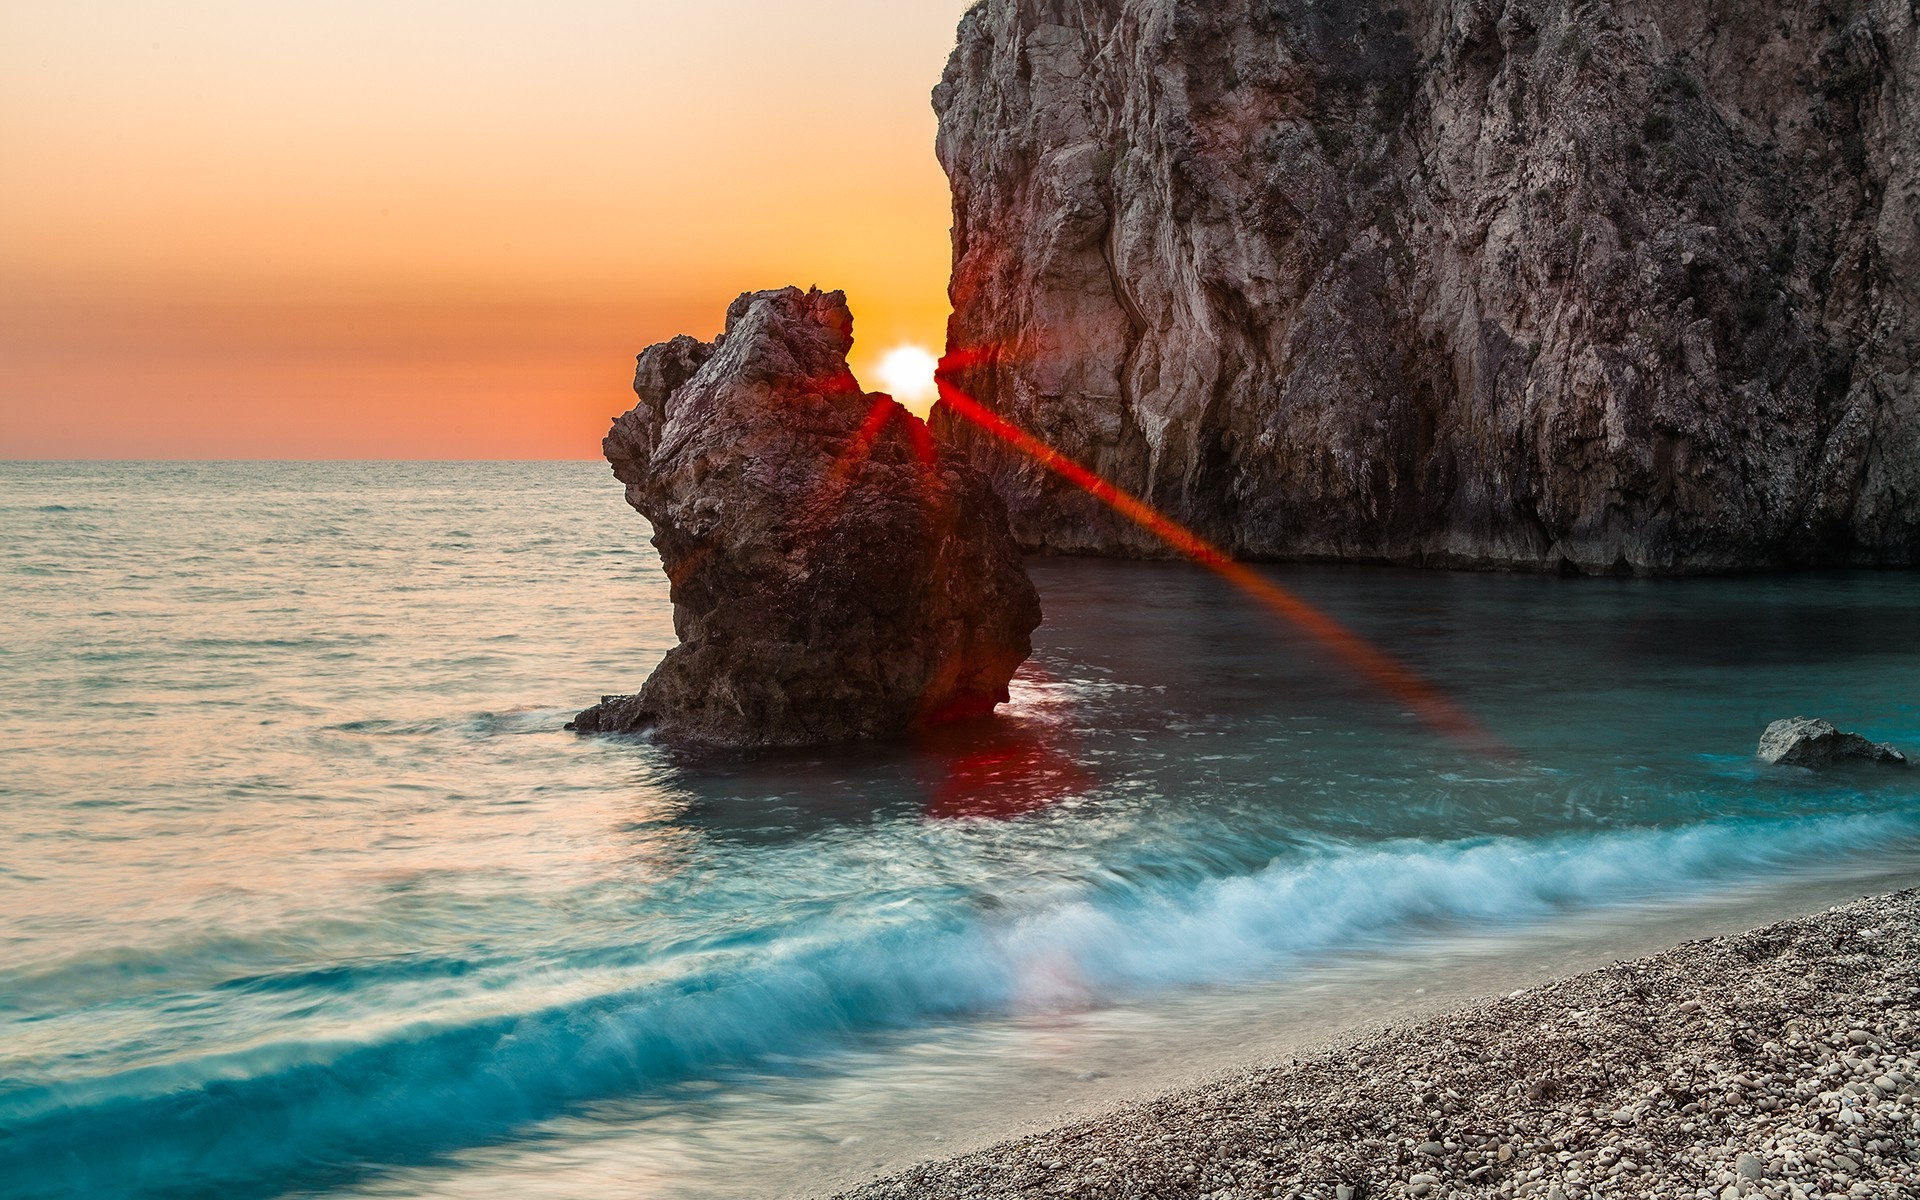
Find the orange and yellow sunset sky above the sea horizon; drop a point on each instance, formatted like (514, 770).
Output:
(439, 229)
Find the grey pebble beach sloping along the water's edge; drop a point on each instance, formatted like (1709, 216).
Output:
(1783, 1063)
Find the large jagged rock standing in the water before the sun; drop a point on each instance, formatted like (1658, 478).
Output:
(834, 573)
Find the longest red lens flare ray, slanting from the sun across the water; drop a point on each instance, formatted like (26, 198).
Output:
(1345, 646)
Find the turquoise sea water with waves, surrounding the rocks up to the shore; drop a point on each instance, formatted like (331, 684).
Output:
(304, 892)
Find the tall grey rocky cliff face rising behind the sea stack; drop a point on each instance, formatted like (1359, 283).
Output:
(1610, 285)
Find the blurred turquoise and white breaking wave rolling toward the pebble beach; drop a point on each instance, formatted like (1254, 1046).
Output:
(268, 1111)
